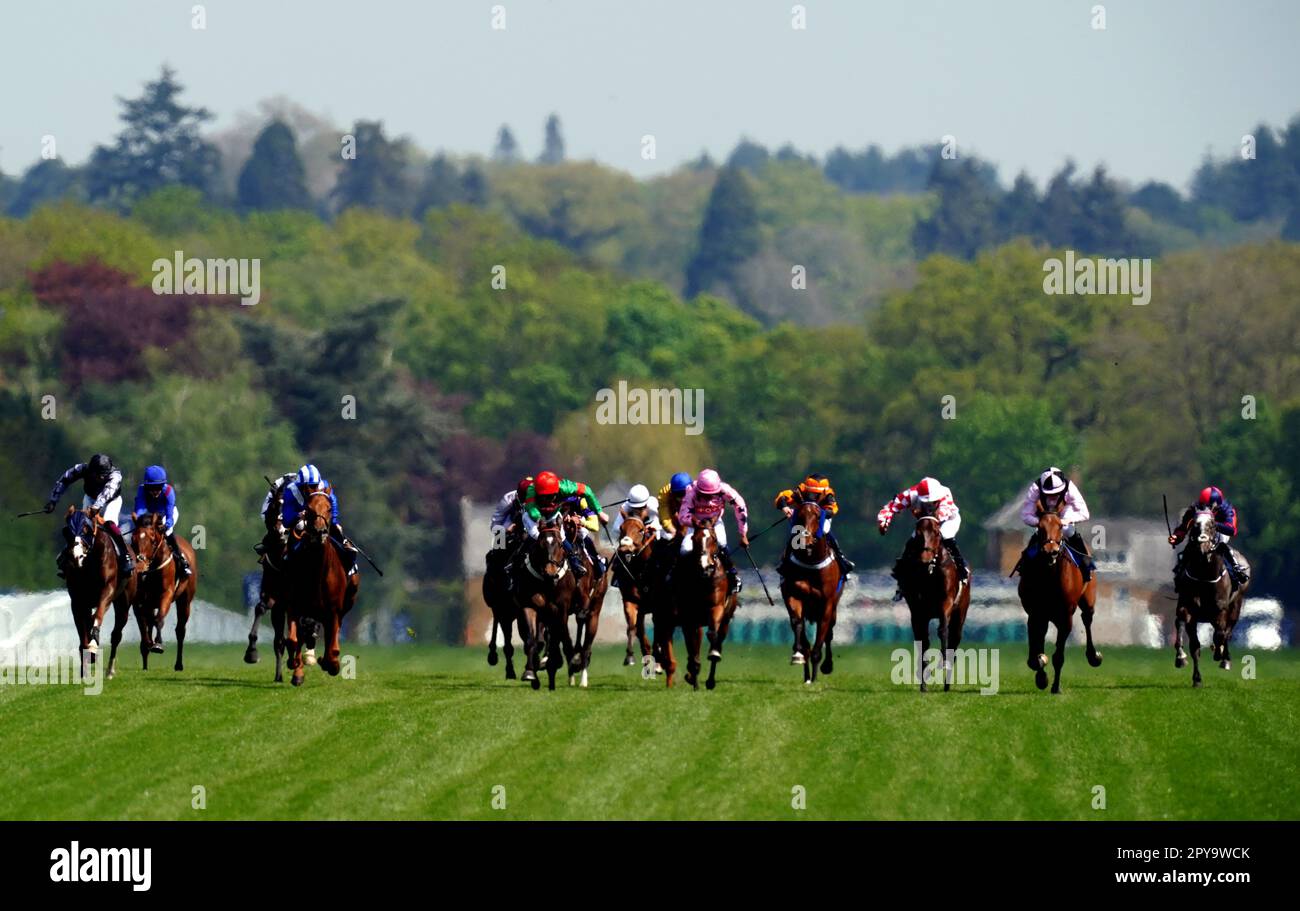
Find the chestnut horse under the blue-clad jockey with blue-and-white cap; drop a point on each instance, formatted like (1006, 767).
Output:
(318, 588)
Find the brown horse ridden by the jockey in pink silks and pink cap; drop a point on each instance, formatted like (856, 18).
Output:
(700, 597)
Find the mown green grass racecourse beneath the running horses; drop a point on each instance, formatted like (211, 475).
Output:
(435, 734)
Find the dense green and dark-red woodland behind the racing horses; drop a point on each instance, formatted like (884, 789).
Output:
(461, 384)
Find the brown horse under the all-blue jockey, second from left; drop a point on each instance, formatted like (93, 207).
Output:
(158, 588)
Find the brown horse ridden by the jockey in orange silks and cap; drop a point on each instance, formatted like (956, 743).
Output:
(812, 585)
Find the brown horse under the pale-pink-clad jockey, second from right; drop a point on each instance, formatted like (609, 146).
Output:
(1051, 589)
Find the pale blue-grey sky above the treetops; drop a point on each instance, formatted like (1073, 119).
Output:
(1022, 83)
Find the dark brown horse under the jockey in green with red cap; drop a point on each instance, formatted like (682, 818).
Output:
(544, 592)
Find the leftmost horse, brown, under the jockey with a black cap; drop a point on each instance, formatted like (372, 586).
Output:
(93, 583)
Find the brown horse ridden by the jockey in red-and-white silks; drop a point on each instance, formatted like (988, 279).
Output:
(935, 591)
